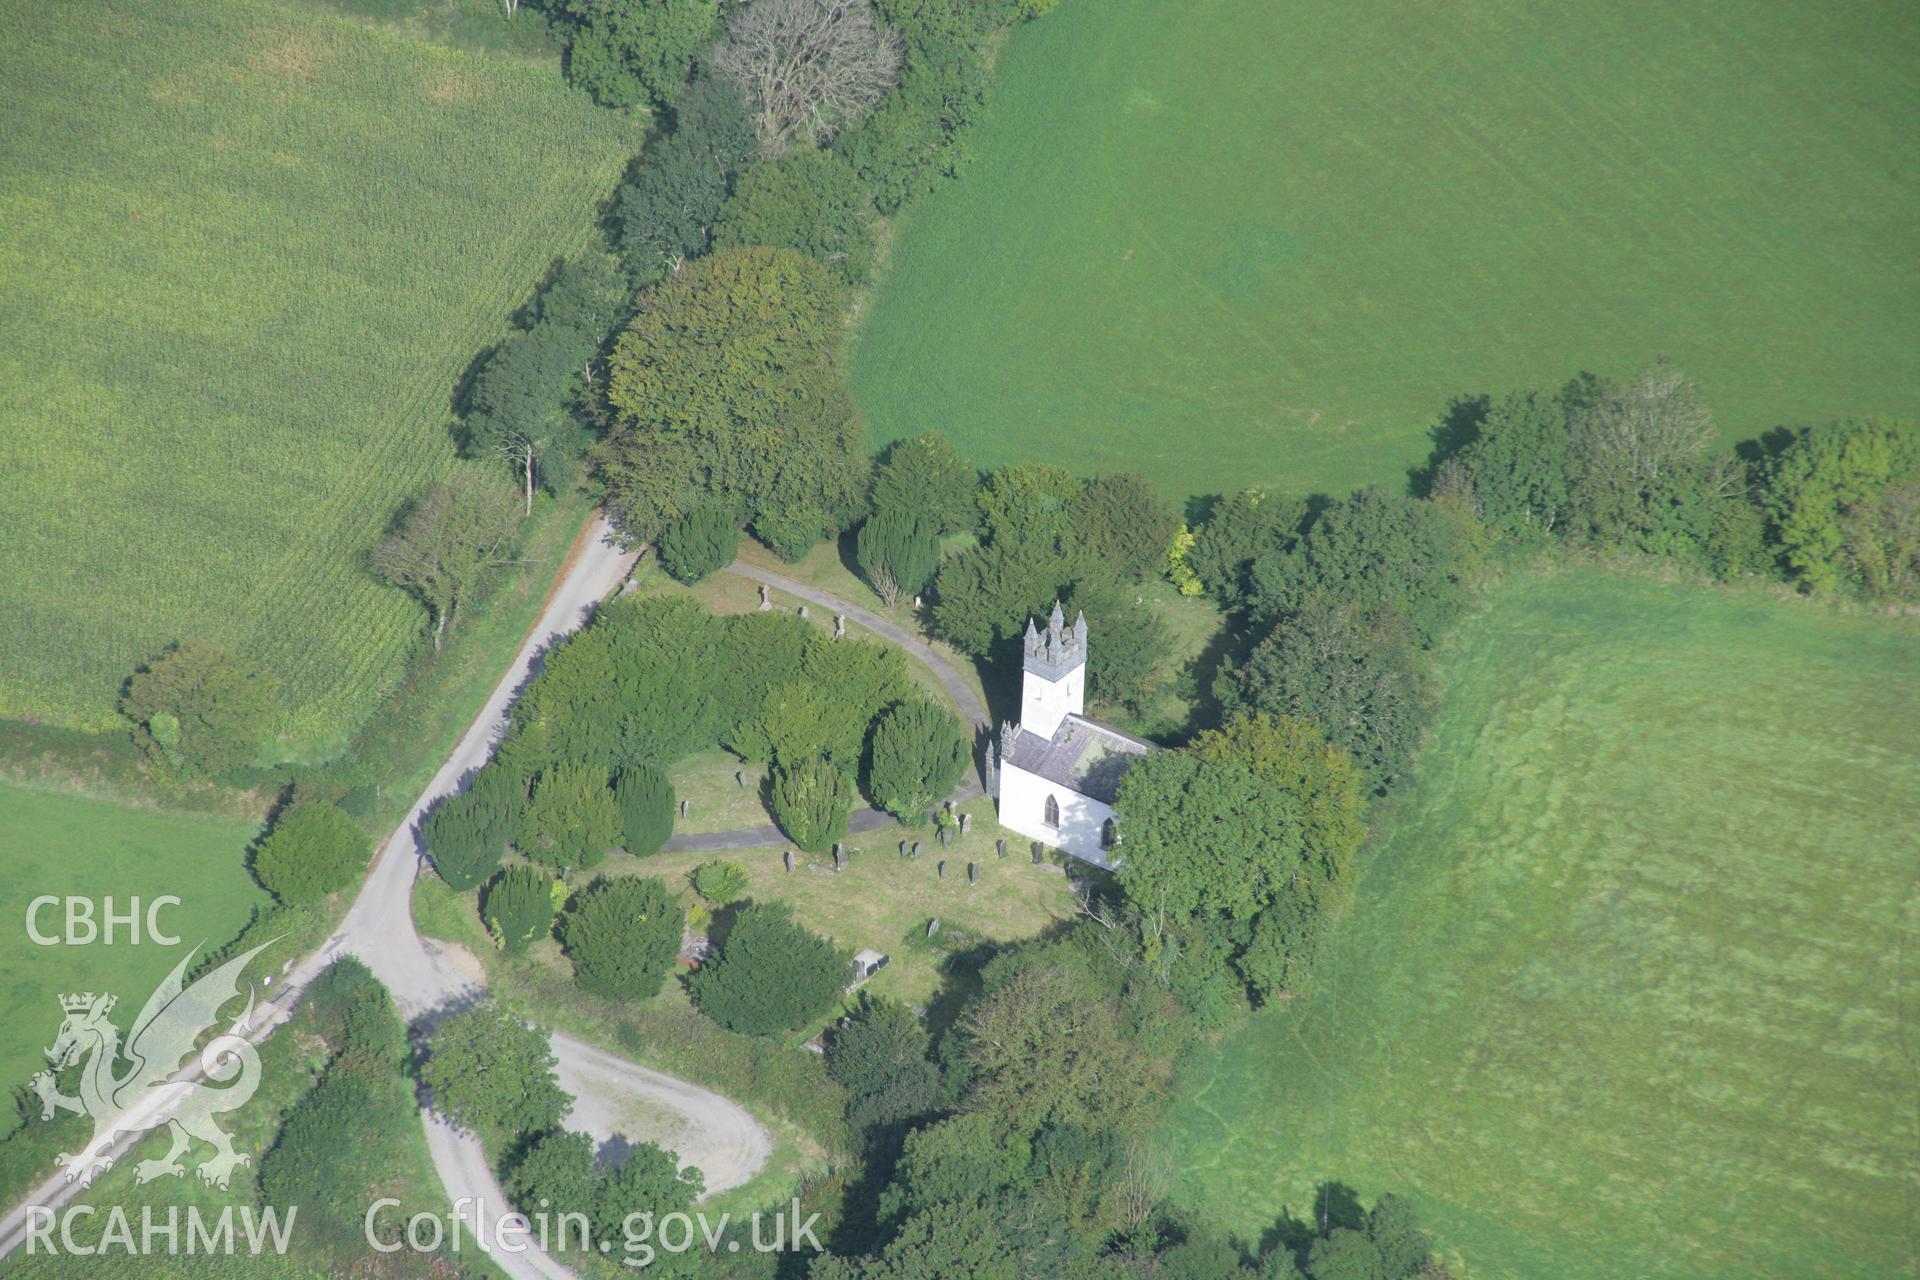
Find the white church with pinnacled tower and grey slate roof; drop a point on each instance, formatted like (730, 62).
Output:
(1057, 769)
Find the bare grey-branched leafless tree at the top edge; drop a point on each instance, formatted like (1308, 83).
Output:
(807, 68)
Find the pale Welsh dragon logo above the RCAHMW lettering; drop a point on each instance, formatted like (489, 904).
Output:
(149, 1091)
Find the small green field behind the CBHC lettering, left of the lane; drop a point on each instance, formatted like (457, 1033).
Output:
(68, 845)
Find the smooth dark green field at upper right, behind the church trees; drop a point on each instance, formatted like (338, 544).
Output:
(1245, 243)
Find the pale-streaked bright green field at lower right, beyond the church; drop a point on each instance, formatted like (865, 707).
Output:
(1631, 976)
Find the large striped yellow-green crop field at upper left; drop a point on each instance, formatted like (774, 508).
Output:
(249, 250)
